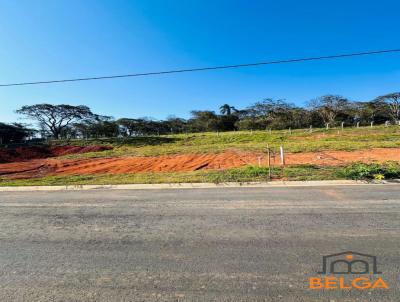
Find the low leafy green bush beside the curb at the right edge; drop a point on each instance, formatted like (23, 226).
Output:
(388, 170)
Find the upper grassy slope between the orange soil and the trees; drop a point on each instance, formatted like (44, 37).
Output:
(298, 141)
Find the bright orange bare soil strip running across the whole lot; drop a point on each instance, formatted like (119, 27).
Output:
(185, 162)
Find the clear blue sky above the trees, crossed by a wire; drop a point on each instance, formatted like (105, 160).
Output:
(41, 40)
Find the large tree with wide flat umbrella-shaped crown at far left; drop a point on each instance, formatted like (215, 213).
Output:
(55, 118)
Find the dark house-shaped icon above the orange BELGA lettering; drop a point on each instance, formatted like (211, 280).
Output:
(349, 263)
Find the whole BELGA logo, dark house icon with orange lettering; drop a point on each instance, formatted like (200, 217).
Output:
(348, 270)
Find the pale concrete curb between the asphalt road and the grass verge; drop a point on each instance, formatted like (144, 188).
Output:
(270, 184)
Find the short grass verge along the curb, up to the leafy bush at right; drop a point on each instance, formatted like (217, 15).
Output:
(244, 174)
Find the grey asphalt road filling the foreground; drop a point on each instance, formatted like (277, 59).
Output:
(236, 244)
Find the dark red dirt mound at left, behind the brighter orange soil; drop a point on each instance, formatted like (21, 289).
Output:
(37, 152)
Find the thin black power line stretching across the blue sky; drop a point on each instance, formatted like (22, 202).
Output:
(205, 68)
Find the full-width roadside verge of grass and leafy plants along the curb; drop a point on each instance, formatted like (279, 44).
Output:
(356, 171)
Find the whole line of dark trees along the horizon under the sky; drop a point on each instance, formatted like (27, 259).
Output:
(67, 121)
